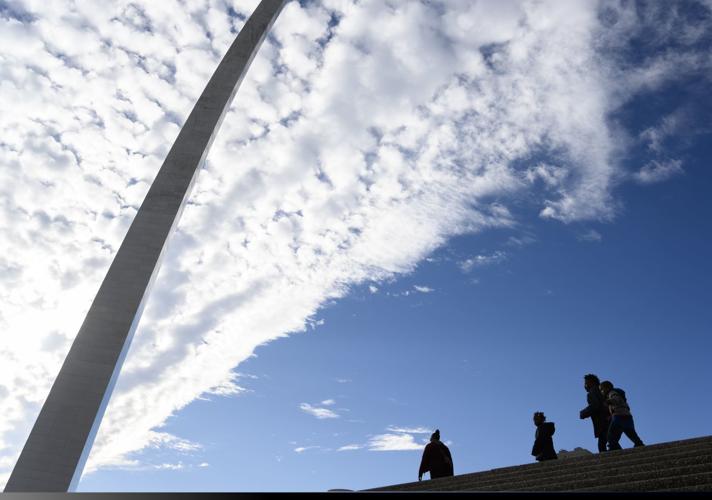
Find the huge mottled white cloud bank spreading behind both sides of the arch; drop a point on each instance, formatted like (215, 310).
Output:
(351, 153)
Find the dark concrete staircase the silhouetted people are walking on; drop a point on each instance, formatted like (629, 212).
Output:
(675, 466)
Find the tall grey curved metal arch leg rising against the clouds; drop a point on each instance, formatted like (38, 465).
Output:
(55, 452)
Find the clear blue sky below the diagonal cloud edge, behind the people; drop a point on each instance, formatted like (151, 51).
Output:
(476, 360)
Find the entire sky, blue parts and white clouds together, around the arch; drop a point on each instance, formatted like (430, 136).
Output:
(416, 215)
